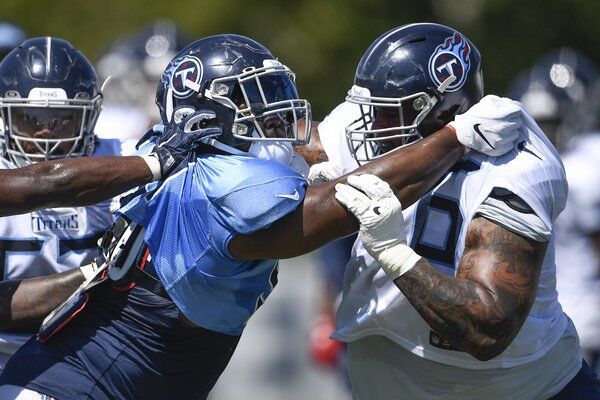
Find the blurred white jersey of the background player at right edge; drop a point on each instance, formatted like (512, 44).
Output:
(578, 266)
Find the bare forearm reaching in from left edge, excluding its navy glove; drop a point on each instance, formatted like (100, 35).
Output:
(69, 182)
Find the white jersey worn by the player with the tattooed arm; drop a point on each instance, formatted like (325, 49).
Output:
(436, 227)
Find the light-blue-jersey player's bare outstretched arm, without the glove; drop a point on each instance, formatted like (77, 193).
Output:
(411, 172)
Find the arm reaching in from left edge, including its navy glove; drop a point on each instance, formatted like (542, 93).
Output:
(89, 180)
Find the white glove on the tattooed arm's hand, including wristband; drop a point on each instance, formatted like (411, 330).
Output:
(379, 213)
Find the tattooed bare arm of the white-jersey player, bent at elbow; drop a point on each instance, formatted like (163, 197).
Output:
(481, 310)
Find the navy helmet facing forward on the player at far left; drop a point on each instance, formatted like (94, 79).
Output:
(49, 102)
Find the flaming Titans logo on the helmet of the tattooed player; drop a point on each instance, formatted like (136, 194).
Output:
(451, 58)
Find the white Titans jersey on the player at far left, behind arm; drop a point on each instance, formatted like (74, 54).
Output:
(55, 240)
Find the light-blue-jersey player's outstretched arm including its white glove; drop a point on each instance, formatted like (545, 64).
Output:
(491, 126)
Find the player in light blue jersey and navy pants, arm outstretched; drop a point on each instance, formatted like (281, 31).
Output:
(203, 246)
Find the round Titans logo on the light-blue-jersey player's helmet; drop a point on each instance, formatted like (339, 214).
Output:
(184, 75)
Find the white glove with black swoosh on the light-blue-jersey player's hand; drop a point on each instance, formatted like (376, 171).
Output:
(490, 126)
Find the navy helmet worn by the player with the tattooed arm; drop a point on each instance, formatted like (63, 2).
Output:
(409, 83)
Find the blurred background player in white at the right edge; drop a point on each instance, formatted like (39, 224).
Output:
(561, 91)
